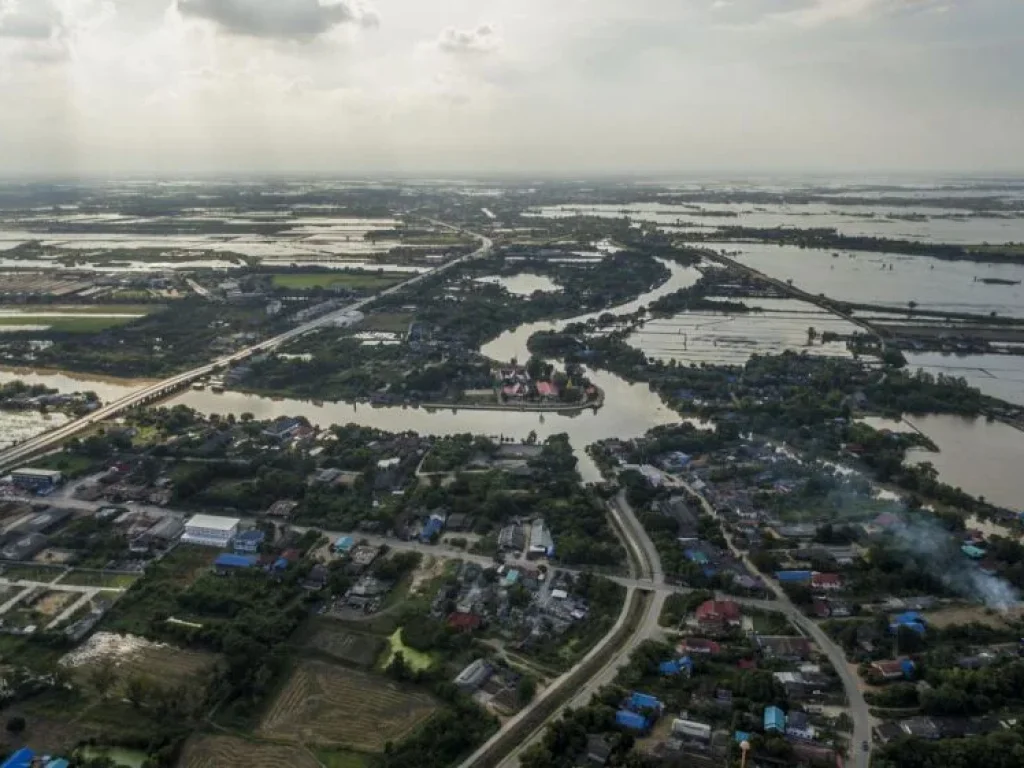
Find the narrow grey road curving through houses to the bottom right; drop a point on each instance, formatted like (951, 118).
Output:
(859, 707)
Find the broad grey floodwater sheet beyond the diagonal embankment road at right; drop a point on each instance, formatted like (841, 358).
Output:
(867, 278)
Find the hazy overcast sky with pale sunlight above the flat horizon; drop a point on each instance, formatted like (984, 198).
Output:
(558, 87)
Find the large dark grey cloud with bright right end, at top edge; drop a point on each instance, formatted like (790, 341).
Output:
(295, 20)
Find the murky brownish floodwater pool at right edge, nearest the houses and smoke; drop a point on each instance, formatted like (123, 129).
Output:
(980, 457)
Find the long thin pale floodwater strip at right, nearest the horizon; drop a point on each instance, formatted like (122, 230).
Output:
(938, 225)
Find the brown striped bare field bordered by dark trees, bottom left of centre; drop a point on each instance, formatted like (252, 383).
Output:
(328, 705)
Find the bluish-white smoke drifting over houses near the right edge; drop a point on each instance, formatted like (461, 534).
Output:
(941, 554)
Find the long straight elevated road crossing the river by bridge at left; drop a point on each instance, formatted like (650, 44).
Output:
(16, 455)
